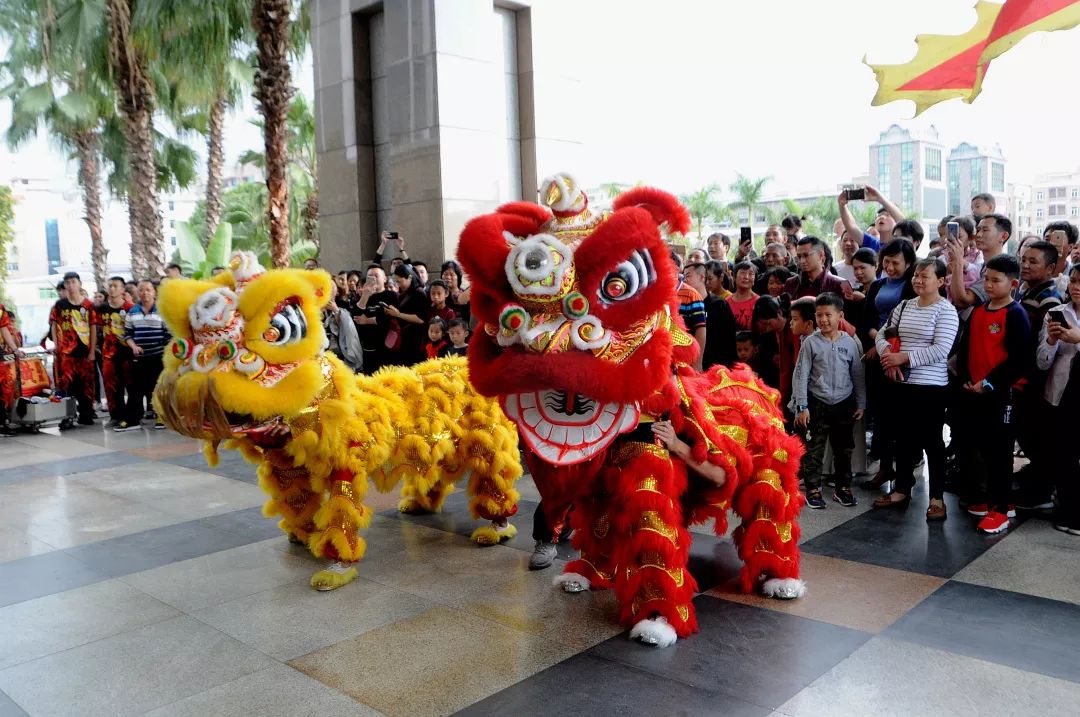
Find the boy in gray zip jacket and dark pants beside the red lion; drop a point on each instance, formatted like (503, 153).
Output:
(829, 393)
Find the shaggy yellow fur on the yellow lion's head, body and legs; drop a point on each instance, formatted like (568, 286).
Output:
(423, 426)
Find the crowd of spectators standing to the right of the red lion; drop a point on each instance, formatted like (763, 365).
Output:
(895, 342)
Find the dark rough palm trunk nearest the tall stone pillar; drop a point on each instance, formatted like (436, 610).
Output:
(274, 92)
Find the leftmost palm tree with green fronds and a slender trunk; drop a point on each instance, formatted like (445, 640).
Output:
(58, 45)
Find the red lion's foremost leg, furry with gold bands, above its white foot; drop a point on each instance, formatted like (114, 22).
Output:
(654, 545)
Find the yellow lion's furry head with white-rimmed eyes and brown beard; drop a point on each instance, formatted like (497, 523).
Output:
(248, 349)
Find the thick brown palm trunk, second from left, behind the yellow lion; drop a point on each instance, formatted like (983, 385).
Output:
(137, 106)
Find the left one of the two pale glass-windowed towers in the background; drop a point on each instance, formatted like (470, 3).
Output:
(907, 168)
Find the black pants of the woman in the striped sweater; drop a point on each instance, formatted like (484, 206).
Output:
(917, 420)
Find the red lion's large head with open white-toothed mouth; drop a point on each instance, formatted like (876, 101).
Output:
(578, 316)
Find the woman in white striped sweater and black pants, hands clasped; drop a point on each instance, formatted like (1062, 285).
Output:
(928, 327)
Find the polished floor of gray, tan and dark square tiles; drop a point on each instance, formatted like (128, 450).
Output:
(136, 580)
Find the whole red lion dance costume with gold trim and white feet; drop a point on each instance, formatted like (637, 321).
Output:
(582, 341)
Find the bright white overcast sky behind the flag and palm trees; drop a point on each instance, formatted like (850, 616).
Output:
(685, 93)
